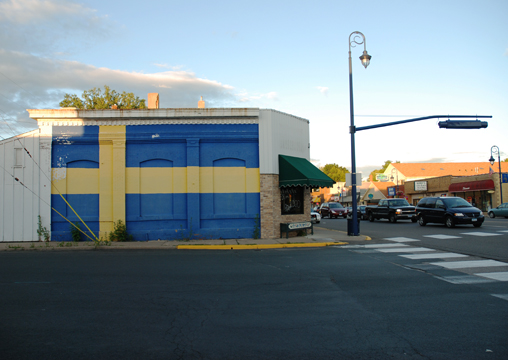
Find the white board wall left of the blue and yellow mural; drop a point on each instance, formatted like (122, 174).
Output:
(20, 205)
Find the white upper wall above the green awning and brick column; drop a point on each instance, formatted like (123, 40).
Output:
(283, 134)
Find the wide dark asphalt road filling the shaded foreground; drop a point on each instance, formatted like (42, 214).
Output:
(327, 303)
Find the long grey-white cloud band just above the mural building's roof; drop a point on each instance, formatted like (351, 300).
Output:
(30, 82)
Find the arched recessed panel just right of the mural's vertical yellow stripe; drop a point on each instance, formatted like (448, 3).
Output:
(156, 188)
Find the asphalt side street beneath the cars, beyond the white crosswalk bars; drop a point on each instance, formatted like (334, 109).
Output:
(488, 241)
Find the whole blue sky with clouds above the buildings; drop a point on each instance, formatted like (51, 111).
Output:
(429, 57)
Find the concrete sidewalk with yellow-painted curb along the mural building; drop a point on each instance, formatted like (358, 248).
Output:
(321, 237)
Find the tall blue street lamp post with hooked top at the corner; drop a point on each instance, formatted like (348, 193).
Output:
(355, 38)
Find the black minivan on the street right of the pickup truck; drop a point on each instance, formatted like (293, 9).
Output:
(449, 211)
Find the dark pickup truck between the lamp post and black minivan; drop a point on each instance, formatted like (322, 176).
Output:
(393, 210)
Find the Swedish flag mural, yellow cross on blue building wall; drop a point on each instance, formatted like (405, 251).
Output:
(165, 181)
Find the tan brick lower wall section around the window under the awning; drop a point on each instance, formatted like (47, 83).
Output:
(271, 217)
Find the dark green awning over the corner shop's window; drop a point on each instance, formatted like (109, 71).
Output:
(295, 171)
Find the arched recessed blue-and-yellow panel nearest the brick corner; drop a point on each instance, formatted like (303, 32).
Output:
(229, 186)
